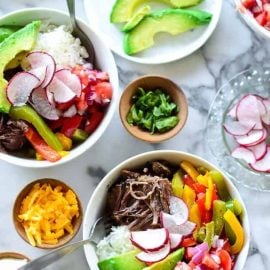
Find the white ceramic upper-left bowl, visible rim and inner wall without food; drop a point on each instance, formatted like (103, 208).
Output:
(104, 59)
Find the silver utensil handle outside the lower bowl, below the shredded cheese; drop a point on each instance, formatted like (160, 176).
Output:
(53, 256)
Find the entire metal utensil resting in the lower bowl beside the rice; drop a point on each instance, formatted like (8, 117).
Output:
(98, 231)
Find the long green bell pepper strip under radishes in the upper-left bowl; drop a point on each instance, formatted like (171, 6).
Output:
(28, 114)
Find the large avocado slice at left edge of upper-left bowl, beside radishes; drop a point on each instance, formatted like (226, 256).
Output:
(21, 40)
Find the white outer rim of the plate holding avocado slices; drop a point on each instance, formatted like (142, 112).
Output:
(209, 31)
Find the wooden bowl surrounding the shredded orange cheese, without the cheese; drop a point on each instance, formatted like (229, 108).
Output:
(16, 209)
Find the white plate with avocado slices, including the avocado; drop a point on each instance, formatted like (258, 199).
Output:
(154, 32)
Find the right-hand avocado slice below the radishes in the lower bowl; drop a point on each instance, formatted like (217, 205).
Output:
(169, 262)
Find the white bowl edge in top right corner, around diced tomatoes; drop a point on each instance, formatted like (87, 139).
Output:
(250, 20)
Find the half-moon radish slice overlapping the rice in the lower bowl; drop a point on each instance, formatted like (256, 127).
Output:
(150, 240)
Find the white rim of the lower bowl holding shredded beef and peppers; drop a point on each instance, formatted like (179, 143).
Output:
(151, 155)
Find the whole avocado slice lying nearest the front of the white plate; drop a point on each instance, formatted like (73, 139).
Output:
(172, 21)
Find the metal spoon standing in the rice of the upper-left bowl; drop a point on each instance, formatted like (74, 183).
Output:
(77, 32)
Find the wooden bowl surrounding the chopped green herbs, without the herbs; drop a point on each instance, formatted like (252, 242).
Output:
(152, 82)
